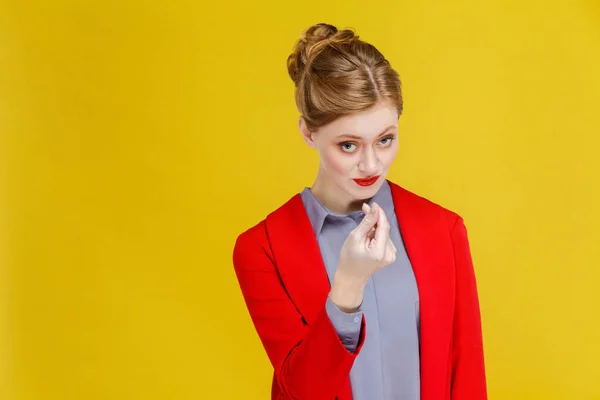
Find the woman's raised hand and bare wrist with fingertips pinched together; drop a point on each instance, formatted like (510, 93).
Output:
(367, 249)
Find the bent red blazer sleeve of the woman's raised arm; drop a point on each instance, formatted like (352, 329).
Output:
(310, 362)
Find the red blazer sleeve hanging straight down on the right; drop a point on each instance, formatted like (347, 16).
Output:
(468, 369)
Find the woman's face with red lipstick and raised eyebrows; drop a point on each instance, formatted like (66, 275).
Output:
(356, 152)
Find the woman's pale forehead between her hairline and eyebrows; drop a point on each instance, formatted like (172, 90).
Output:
(367, 124)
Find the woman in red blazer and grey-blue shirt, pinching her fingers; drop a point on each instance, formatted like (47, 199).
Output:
(358, 288)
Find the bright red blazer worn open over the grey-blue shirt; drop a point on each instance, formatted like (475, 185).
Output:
(285, 286)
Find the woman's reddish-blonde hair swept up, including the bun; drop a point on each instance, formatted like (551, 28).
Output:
(336, 73)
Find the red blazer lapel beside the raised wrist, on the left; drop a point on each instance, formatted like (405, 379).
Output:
(298, 258)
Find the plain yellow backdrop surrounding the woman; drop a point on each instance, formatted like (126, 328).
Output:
(139, 138)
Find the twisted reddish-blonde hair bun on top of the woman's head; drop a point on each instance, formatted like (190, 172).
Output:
(311, 43)
